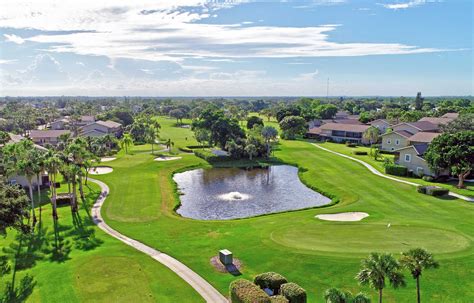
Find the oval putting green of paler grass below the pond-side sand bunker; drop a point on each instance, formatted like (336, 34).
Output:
(364, 238)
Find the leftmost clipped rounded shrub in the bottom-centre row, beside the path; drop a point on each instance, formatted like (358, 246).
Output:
(244, 291)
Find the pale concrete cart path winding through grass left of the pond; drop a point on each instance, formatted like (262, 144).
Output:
(206, 290)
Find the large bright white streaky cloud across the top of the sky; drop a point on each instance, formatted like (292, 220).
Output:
(167, 30)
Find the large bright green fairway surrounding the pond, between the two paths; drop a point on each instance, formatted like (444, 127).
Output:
(313, 253)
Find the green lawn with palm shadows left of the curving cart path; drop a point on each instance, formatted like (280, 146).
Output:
(93, 267)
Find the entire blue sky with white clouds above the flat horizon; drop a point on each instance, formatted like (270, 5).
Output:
(236, 48)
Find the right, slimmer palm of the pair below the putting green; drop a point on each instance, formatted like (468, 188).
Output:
(415, 260)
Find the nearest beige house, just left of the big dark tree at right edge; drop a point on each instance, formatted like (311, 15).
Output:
(412, 158)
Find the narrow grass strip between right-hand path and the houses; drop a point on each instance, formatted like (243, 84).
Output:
(343, 149)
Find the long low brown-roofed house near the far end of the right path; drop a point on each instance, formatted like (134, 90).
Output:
(339, 132)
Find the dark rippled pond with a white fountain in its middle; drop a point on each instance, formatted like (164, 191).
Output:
(231, 193)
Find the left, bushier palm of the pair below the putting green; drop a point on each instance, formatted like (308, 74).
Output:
(376, 269)
